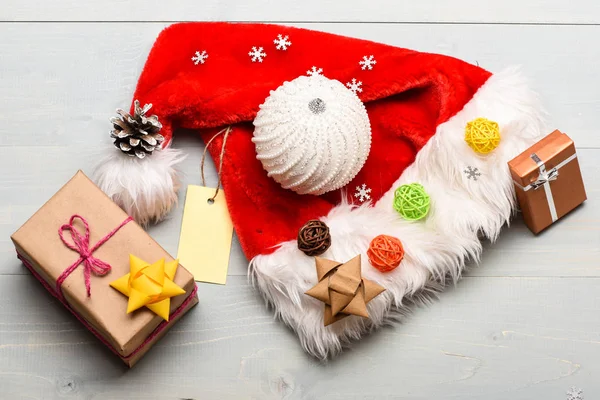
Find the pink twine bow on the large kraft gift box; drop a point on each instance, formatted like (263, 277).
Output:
(81, 245)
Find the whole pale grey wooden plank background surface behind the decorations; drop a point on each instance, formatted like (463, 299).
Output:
(523, 325)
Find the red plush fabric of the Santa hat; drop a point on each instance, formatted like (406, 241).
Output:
(407, 94)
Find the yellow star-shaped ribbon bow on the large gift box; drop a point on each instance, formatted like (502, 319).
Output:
(149, 285)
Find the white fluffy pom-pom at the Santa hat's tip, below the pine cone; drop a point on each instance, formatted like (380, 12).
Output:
(145, 188)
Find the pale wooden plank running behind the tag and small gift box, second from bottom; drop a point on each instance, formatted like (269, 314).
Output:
(570, 248)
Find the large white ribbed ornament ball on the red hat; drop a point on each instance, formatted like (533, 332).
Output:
(312, 135)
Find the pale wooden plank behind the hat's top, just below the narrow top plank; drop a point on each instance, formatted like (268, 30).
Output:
(60, 83)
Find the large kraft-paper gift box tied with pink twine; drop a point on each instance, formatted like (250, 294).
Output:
(38, 244)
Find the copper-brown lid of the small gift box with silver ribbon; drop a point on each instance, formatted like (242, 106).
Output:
(551, 150)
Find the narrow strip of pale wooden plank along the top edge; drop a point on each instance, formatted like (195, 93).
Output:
(509, 11)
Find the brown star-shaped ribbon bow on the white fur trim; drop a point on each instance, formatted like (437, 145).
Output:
(343, 290)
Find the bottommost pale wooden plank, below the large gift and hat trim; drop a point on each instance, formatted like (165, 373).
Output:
(488, 338)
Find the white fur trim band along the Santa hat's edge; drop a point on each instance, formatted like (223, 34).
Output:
(436, 248)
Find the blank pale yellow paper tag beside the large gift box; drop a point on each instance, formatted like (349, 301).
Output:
(206, 232)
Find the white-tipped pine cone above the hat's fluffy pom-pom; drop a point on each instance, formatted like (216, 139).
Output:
(136, 135)
